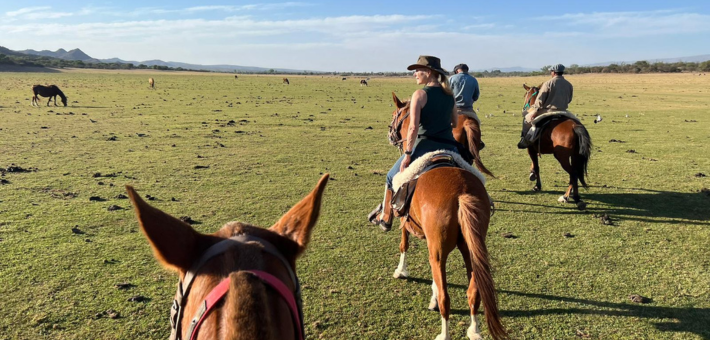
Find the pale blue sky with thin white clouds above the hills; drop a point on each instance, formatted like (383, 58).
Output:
(363, 36)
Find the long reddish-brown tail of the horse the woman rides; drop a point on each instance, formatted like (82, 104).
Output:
(474, 218)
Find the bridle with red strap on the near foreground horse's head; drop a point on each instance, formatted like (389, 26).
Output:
(293, 299)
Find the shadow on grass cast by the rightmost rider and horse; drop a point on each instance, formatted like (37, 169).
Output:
(643, 205)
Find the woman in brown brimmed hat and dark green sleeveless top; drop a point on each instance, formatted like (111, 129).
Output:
(432, 117)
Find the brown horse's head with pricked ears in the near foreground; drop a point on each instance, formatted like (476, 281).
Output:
(252, 269)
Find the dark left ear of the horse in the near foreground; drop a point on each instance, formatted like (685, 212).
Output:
(173, 241)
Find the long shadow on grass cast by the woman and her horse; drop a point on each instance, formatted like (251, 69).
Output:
(690, 320)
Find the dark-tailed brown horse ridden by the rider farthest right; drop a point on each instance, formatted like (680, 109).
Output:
(568, 141)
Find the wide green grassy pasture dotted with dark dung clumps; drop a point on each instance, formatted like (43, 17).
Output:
(53, 281)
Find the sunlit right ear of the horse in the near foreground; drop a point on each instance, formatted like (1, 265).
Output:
(298, 222)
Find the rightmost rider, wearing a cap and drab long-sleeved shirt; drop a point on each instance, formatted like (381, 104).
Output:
(555, 95)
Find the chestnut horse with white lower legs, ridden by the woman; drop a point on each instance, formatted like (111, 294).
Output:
(450, 208)
